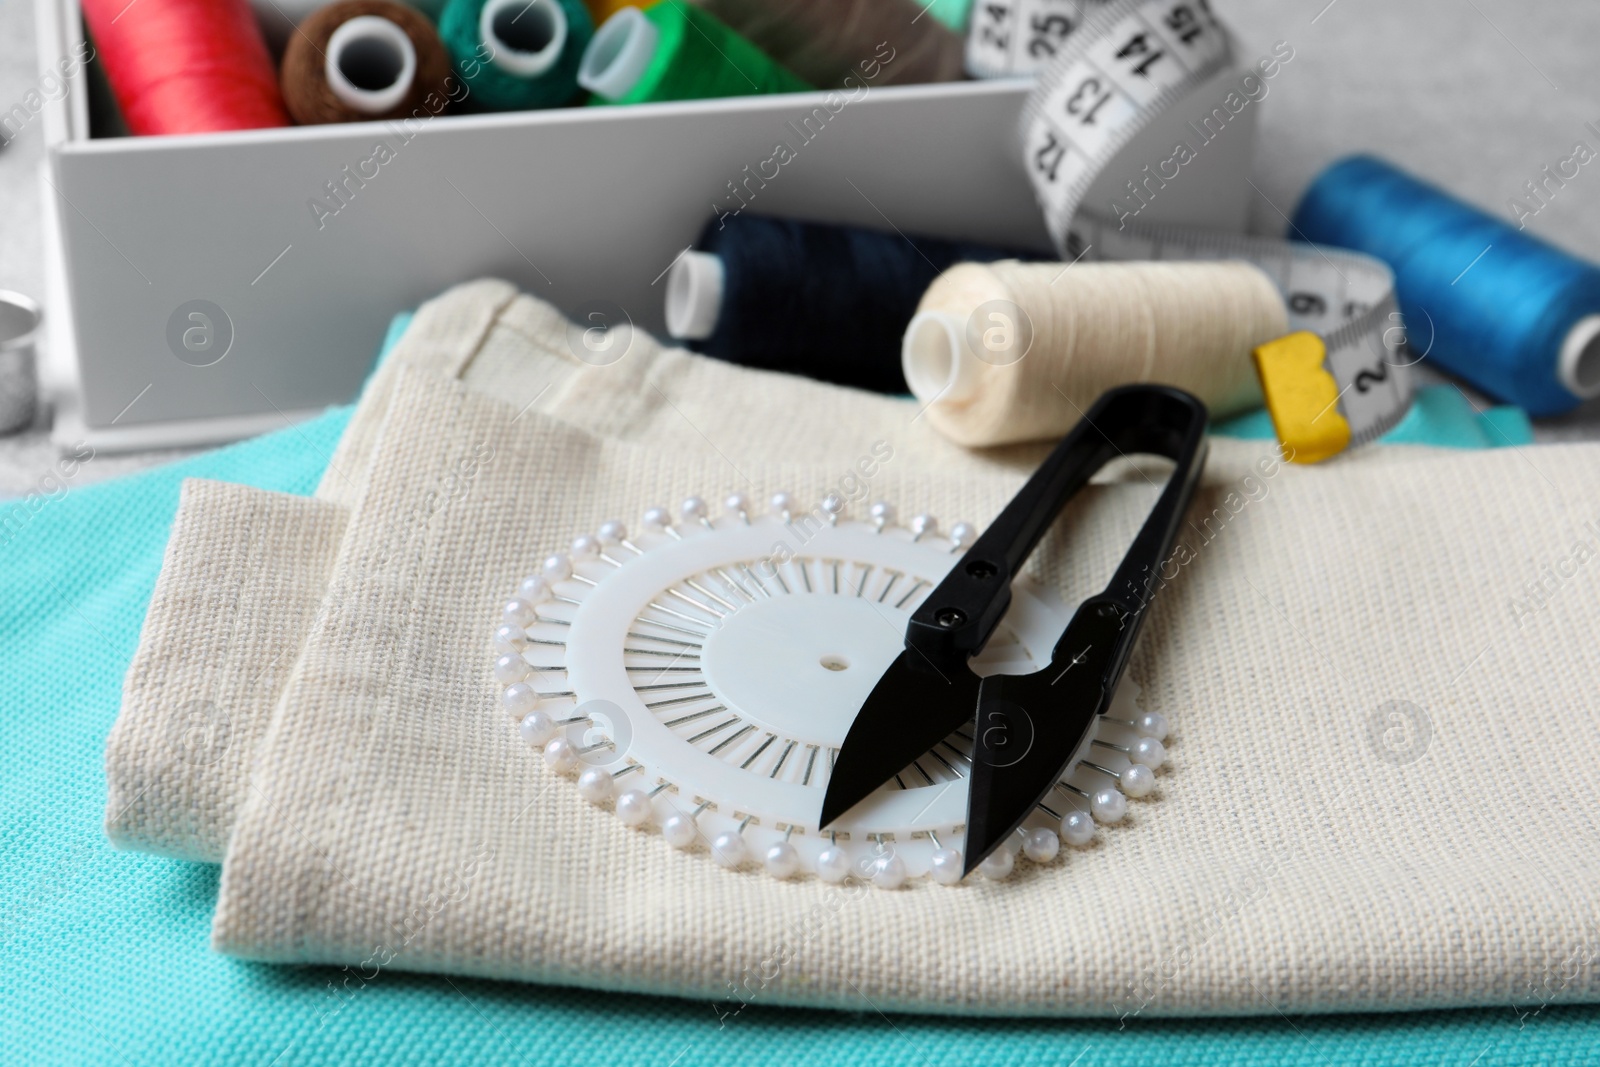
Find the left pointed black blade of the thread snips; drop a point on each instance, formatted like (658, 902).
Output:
(913, 708)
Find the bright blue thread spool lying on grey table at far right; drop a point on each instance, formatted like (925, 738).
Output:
(1508, 313)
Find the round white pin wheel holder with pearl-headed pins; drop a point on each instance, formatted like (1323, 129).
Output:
(700, 677)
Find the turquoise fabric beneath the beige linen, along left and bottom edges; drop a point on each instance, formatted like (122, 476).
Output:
(105, 956)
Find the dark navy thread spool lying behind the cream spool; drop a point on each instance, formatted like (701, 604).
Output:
(825, 302)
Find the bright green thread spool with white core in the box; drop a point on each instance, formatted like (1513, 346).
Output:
(676, 52)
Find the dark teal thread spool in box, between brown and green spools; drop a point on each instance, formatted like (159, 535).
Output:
(518, 54)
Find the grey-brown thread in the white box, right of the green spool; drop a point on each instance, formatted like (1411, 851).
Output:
(825, 41)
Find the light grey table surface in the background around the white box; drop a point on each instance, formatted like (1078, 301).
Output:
(1476, 95)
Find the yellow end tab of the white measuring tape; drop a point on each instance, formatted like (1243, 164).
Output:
(1302, 398)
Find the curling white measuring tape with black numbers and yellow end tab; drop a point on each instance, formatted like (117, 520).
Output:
(1108, 73)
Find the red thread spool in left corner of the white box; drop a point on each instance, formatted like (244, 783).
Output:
(186, 66)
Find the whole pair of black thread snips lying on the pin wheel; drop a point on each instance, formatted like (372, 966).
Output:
(1030, 729)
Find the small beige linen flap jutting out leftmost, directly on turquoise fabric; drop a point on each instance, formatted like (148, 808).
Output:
(244, 575)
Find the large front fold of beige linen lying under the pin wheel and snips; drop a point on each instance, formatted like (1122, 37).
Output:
(1306, 852)
